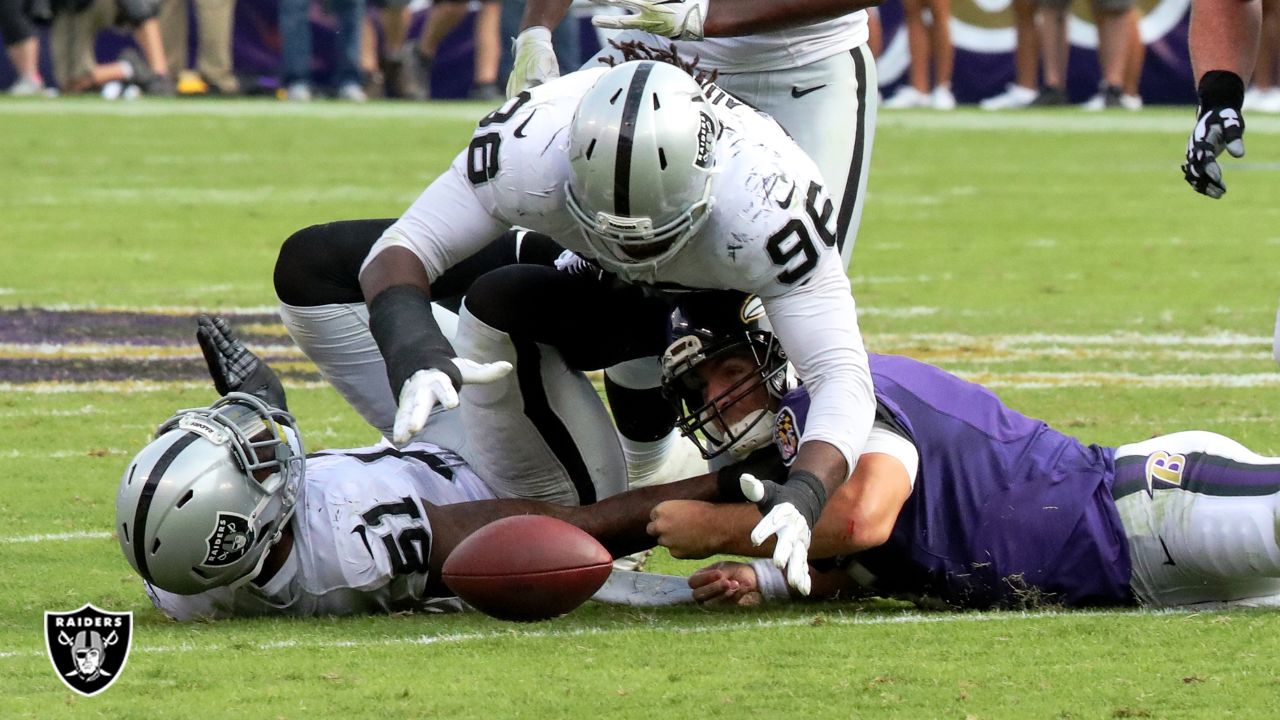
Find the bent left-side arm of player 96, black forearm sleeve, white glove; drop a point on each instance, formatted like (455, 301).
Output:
(446, 225)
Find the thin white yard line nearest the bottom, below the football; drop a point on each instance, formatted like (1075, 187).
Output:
(511, 632)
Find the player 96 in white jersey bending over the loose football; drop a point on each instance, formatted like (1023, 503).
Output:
(661, 186)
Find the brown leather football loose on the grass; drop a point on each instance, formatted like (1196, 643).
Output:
(528, 568)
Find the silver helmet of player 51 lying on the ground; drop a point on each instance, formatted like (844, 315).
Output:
(202, 505)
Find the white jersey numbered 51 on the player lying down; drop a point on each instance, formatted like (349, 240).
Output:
(362, 539)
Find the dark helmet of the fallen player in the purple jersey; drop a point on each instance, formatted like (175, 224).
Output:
(707, 327)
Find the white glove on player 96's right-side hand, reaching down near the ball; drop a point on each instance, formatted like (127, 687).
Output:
(790, 513)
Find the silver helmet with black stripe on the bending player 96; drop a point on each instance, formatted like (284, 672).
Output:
(642, 149)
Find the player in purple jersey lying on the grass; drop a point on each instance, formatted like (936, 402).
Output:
(961, 499)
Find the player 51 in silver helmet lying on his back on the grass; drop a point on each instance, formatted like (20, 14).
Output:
(225, 516)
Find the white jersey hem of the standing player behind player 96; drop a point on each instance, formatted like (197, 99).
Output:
(775, 51)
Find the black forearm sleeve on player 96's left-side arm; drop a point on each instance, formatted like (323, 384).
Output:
(408, 335)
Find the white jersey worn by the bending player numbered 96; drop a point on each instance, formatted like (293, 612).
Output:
(771, 233)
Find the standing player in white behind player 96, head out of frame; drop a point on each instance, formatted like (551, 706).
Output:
(804, 62)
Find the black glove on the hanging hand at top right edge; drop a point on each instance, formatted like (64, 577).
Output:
(1219, 126)
